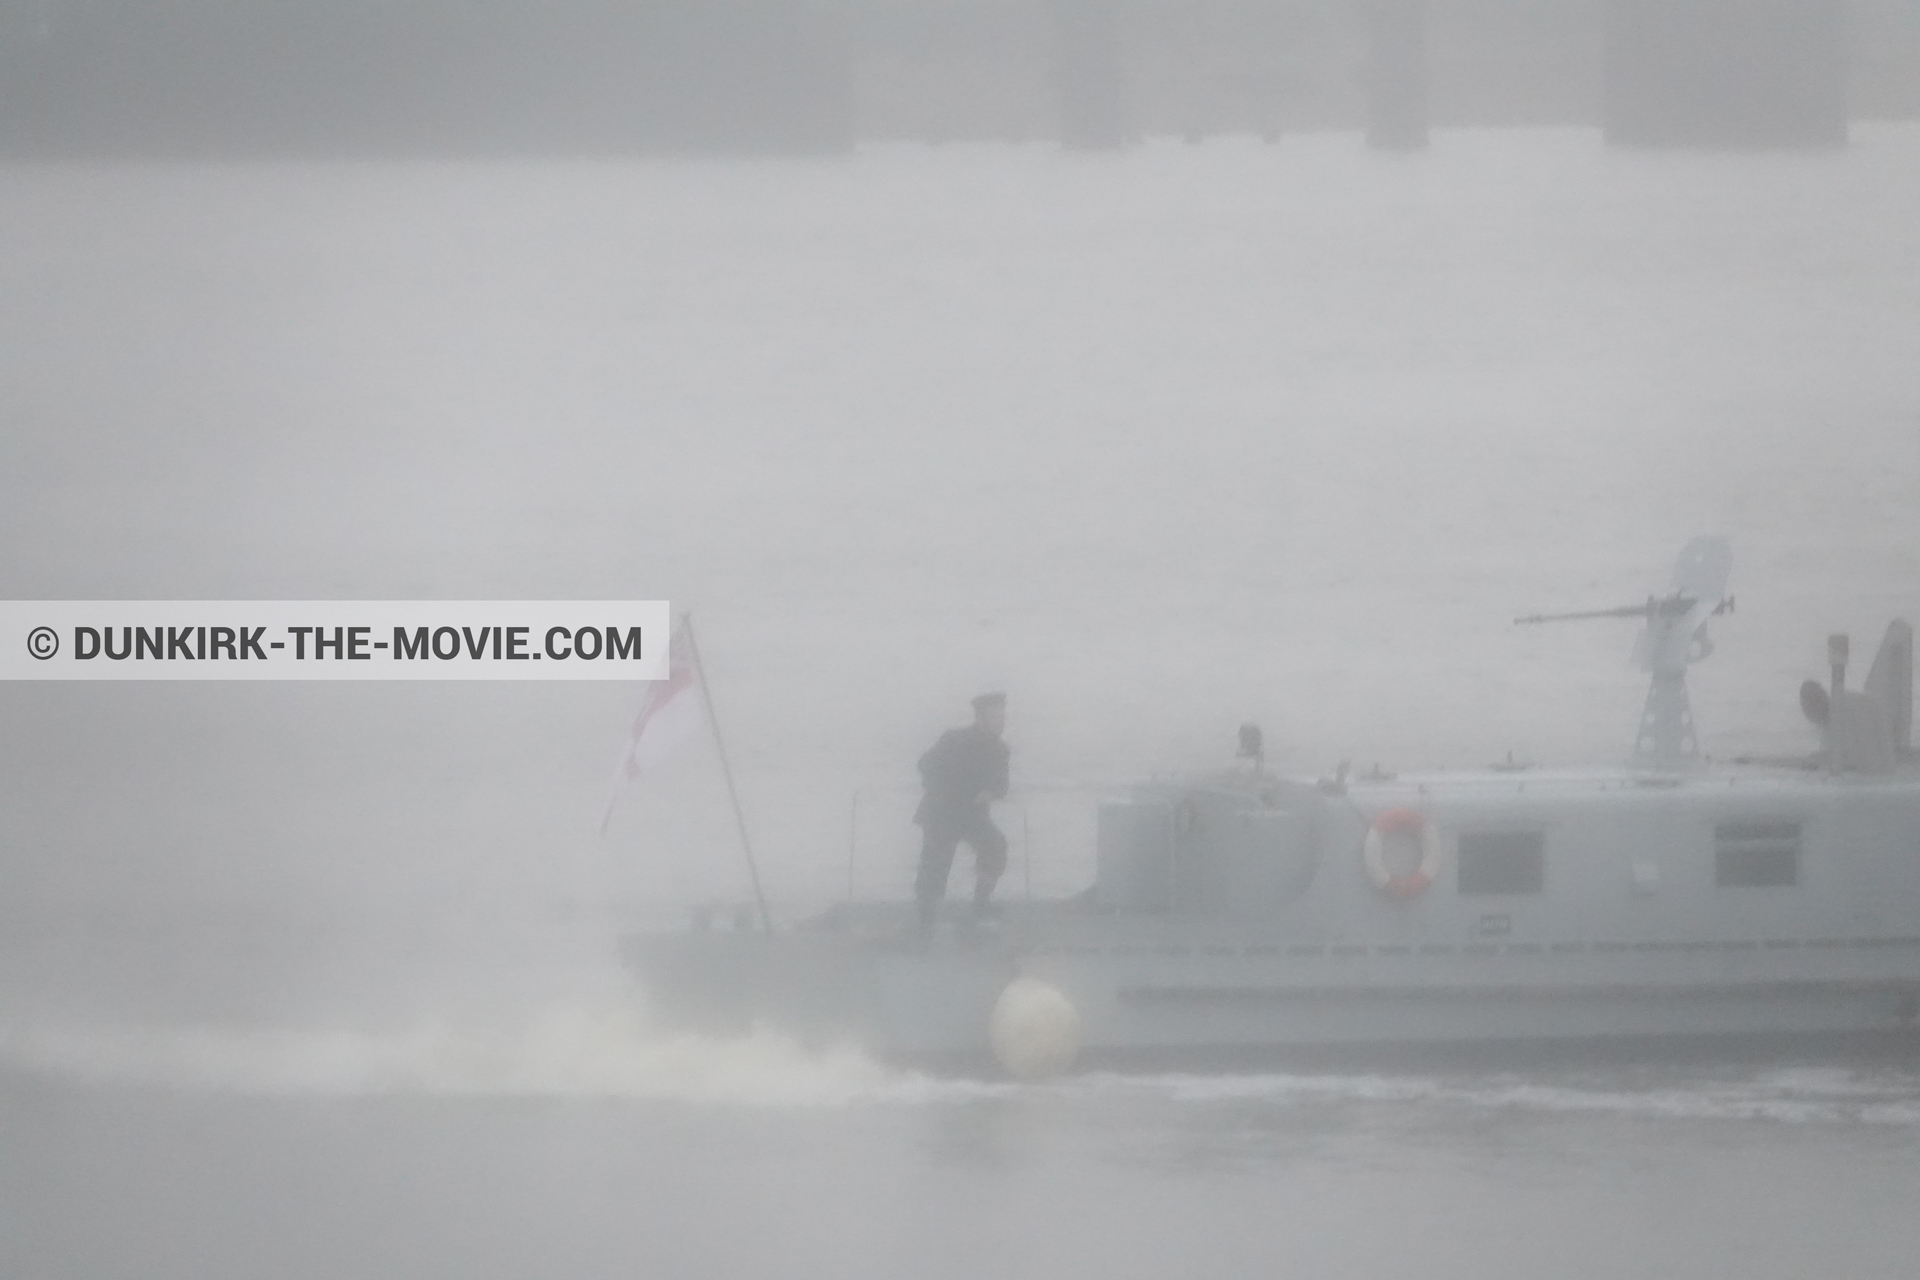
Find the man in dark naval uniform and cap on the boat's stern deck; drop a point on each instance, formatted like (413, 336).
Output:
(965, 774)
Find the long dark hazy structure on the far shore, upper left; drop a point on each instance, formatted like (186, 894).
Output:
(318, 78)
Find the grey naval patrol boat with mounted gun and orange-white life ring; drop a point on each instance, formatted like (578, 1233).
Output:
(1251, 916)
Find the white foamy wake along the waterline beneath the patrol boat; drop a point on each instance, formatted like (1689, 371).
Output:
(610, 1051)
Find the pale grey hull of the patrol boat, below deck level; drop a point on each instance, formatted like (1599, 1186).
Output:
(1237, 999)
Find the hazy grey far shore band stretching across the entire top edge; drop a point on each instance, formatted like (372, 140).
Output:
(642, 78)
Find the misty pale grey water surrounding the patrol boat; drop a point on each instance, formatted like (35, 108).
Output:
(320, 982)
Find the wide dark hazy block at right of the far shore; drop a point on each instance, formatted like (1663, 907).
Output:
(1727, 74)
